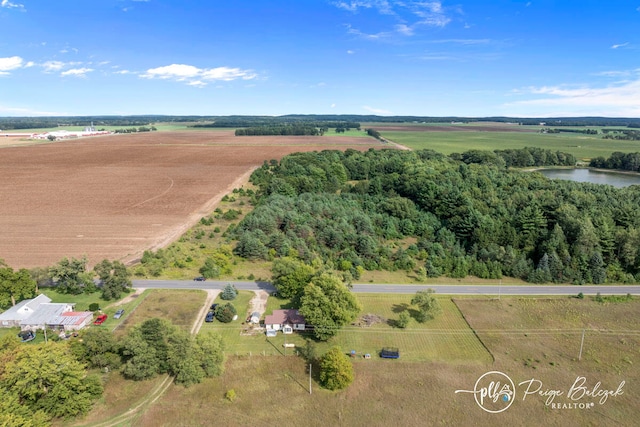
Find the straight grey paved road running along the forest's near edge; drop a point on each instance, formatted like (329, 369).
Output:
(410, 289)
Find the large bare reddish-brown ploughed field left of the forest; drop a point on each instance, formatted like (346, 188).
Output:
(113, 197)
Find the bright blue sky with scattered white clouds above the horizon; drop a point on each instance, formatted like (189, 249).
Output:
(274, 57)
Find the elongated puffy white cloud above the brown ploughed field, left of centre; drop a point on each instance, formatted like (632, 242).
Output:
(195, 76)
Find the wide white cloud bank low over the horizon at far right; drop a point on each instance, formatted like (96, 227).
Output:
(618, 99)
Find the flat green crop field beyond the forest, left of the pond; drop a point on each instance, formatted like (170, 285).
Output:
(457, 138)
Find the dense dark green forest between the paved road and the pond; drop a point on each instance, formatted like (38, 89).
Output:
(433, 215)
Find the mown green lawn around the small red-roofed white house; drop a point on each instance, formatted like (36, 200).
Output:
(446, 338)
